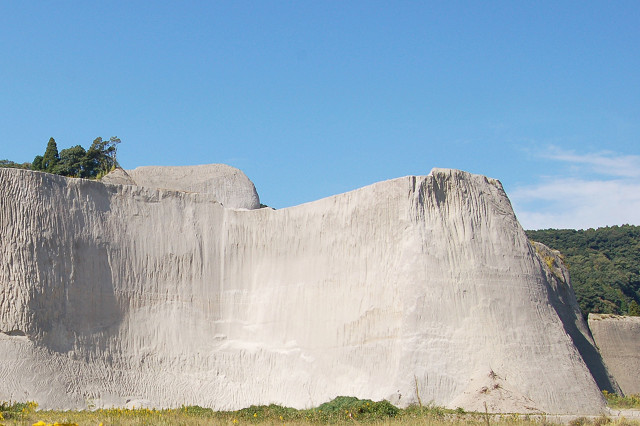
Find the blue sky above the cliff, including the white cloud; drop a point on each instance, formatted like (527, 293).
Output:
(314, 98)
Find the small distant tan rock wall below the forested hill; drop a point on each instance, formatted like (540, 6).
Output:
(618, 338)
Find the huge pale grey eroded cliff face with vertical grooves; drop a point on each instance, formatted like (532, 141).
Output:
(116, 294)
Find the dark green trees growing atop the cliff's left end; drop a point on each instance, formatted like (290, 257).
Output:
(93, 163)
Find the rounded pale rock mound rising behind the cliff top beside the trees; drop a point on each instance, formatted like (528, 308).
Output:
(229, 185)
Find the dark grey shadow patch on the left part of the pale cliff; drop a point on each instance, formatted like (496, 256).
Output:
(73, 303)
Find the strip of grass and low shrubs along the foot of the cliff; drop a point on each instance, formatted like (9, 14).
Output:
(340, 411)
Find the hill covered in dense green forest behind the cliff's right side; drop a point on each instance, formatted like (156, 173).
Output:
(604, 264)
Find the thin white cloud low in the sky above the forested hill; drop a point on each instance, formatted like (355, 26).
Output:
(611, 198)
